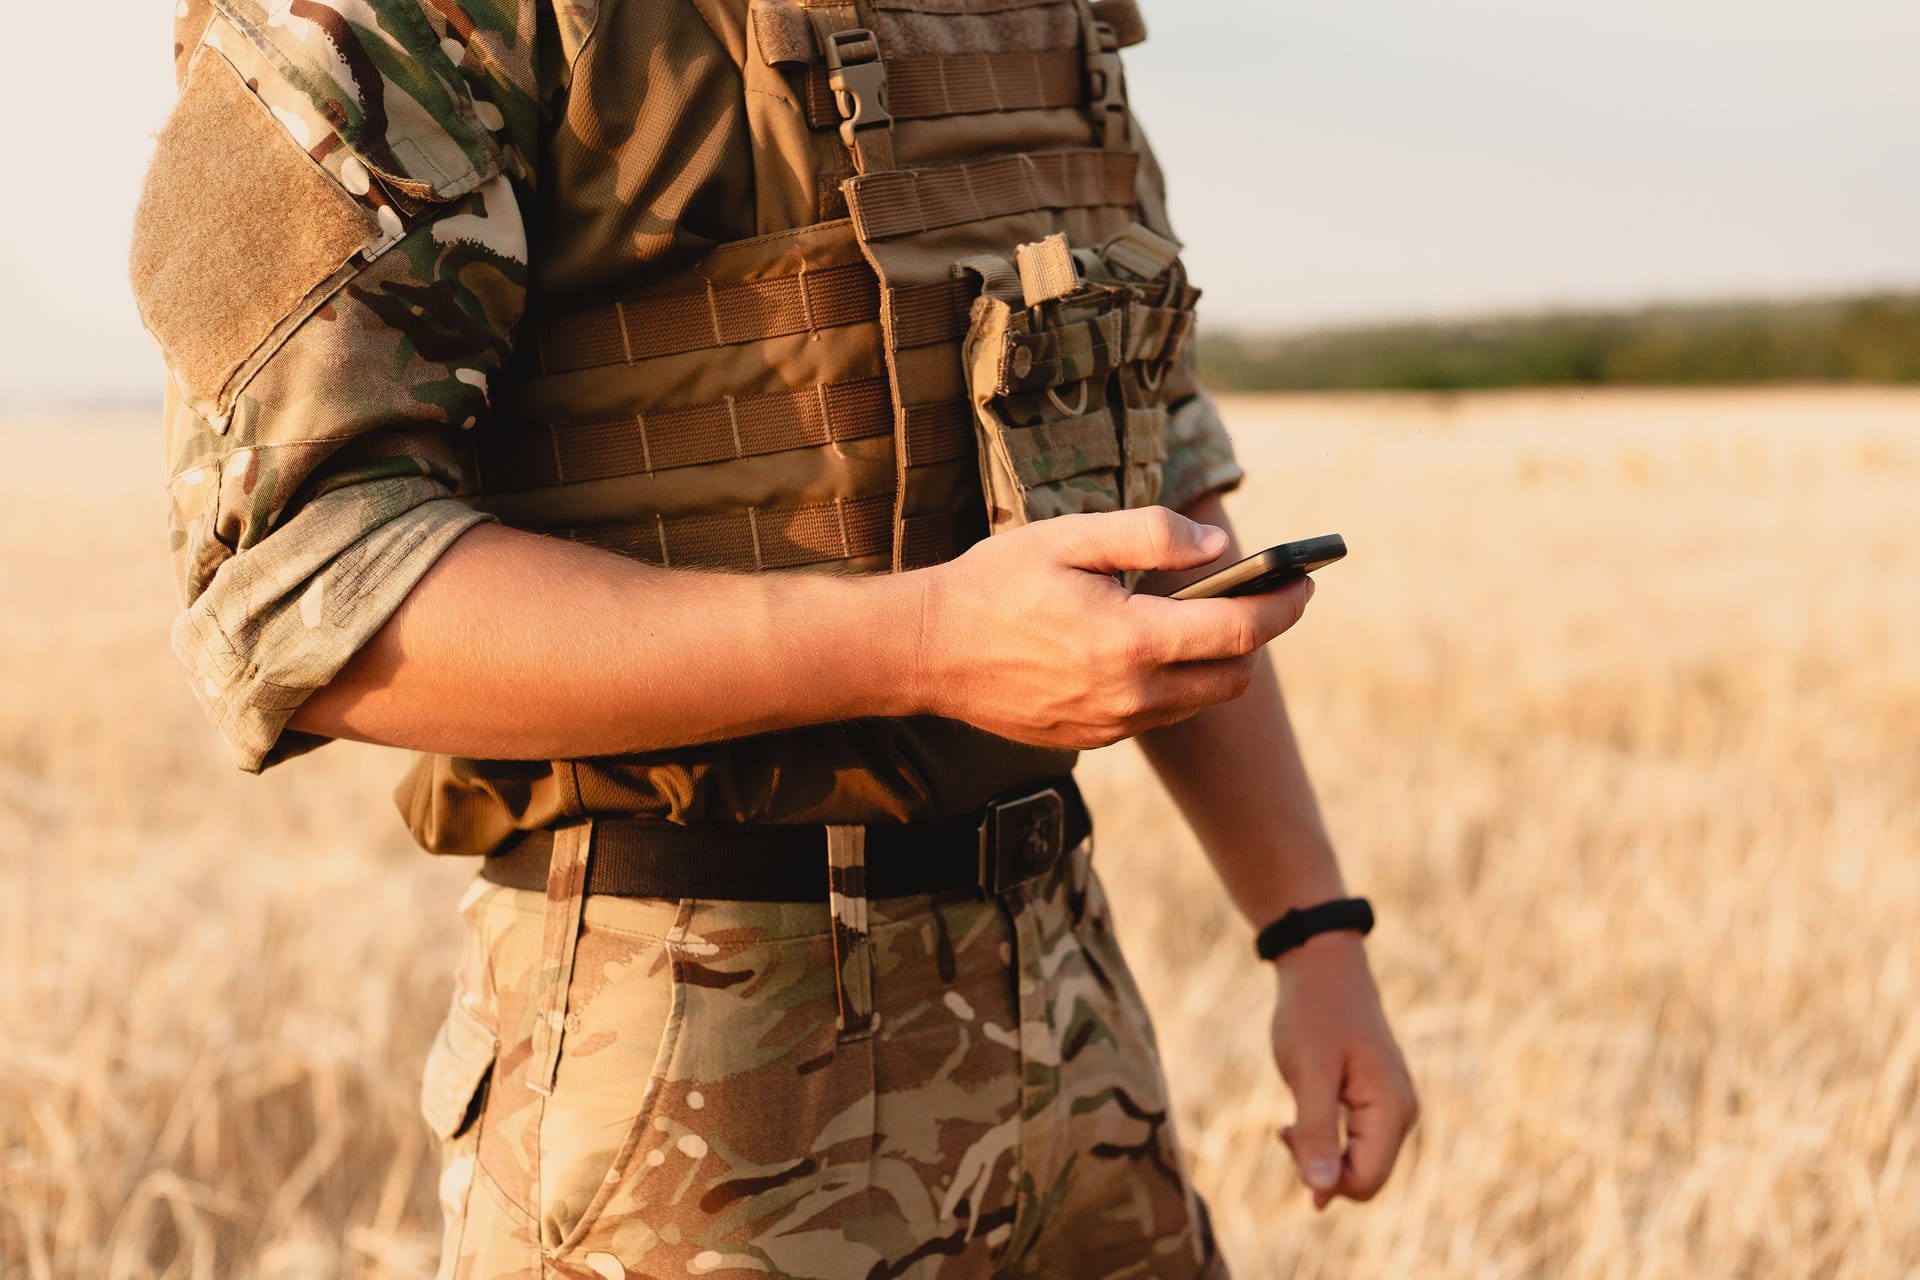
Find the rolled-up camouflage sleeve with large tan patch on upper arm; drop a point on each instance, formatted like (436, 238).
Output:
(329, 335)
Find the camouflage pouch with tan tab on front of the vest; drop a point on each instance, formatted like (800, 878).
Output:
(1067, 358)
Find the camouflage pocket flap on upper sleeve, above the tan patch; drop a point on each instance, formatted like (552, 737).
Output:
(389, 91)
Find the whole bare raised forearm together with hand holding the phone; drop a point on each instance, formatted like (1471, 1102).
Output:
(525, 648)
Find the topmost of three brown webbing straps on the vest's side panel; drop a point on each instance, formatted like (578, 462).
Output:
(719, 316)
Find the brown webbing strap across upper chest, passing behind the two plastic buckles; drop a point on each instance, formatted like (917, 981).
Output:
(965, 85)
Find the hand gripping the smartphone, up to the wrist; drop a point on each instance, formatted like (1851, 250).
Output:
(1032, 638)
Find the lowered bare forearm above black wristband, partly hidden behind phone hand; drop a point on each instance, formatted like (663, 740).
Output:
(1237, 776)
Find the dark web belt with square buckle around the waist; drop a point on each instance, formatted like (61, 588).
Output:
(999, 847)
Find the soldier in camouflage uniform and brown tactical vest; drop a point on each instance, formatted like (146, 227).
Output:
(721, 439)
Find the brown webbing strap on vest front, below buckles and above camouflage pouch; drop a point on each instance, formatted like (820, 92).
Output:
(915, 201)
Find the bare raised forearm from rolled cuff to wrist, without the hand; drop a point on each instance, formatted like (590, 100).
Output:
(527, 648)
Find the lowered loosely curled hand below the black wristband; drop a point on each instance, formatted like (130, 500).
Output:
(1335, 1051)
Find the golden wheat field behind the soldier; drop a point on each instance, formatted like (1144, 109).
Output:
(1616, 711)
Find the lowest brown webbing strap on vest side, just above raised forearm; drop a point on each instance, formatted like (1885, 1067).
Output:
(765, 538)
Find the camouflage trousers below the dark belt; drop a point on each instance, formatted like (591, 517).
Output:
(636, 1087)
